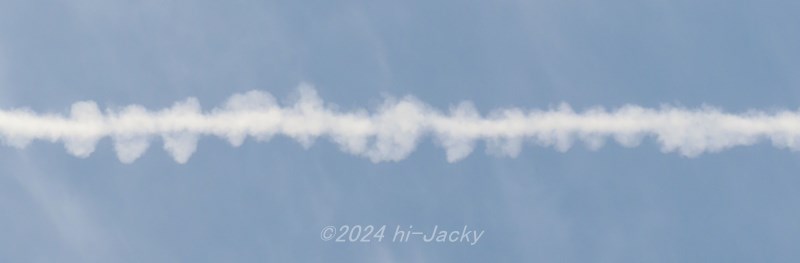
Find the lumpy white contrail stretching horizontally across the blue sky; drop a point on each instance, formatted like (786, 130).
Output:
(391, 132)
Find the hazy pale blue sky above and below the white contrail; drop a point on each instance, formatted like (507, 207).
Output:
(268, 201)
